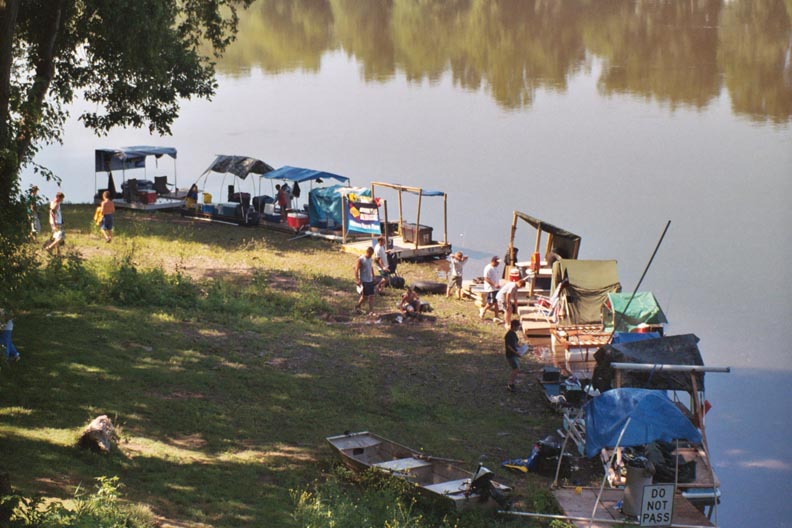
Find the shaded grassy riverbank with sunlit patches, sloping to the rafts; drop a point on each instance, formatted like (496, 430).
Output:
(225, 356)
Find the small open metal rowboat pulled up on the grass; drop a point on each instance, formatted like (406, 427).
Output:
(436, 478)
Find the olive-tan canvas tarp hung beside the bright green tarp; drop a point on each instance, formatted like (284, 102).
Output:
(590, 282)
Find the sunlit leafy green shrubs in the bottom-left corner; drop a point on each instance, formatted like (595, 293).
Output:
(102, 508)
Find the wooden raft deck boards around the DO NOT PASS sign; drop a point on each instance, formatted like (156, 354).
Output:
(581, 505)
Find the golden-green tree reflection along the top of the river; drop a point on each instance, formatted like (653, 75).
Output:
(678, 53)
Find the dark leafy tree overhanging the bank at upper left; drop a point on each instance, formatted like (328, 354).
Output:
(132, 59)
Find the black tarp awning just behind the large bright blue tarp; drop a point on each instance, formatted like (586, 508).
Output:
(669, 350)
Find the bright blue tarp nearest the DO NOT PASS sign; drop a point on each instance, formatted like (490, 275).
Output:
(653, 417)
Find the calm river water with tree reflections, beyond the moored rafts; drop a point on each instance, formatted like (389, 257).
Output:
(606, 118)
